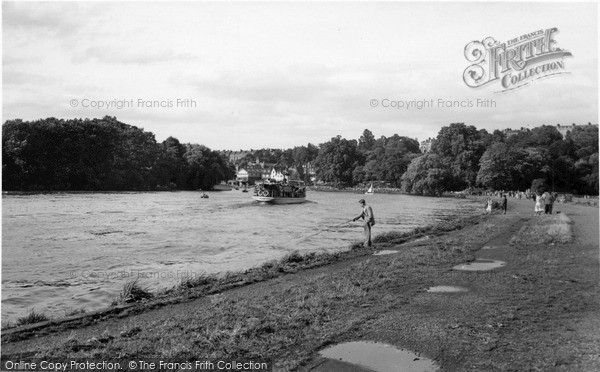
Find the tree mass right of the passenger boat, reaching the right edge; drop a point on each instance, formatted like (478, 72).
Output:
(463, 157)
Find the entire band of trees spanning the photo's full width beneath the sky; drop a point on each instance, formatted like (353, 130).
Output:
(105, 154)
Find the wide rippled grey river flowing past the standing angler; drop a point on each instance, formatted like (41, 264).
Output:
(62, 252)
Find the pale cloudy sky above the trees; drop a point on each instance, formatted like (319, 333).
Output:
(253, 75)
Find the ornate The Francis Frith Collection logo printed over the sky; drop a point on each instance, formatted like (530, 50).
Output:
(514, 63)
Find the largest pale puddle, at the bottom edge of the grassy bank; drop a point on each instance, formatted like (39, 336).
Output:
(379, 357)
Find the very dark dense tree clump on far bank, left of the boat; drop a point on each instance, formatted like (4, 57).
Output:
(102, 154)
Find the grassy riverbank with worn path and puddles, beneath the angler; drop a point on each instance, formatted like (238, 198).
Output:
(539, 311)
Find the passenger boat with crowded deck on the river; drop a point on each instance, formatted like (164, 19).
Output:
(275, 192)
